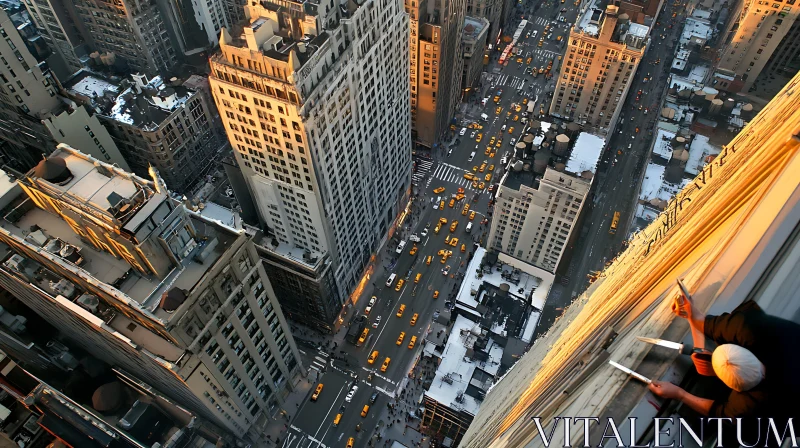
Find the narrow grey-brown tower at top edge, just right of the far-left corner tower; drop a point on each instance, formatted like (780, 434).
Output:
(62, 30)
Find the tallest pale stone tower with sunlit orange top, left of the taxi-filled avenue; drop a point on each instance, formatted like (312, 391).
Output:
(314, 99)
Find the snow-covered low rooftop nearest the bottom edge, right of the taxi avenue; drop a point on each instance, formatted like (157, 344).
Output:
(463, 376)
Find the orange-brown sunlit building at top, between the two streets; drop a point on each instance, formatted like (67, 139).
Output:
(603, 53)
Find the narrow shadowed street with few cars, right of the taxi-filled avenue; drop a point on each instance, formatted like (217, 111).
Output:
(620, 171)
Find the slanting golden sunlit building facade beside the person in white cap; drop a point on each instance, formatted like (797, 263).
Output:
(731, 235)
